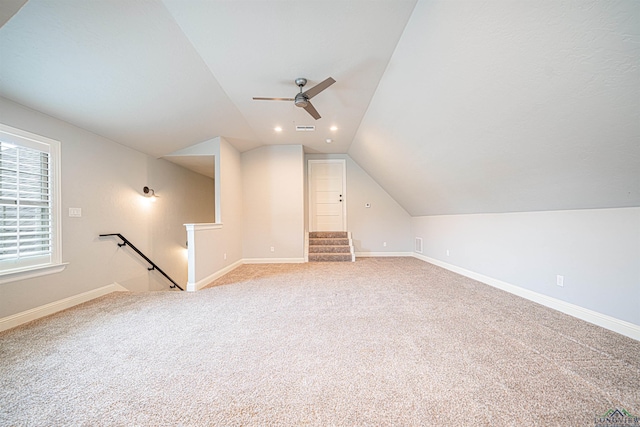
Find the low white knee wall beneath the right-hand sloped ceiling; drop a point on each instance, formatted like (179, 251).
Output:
(597, 251)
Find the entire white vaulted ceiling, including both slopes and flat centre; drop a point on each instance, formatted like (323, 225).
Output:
(452, 107)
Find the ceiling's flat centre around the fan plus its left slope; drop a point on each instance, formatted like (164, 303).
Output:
(160, 76)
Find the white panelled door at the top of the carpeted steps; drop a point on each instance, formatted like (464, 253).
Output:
(327, 195)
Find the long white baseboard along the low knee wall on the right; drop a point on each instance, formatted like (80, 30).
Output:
(616, 325)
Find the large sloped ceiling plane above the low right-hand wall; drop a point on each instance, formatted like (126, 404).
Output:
(502, 106)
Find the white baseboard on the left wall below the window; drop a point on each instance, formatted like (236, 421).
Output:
(56, 306)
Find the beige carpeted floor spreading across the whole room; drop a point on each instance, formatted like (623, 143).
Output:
(382, 341)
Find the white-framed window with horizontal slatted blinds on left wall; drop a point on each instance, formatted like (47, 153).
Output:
(29, 205)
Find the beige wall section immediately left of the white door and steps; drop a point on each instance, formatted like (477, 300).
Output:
(273, 198)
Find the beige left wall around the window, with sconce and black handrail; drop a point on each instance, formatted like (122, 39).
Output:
(105, 179)
